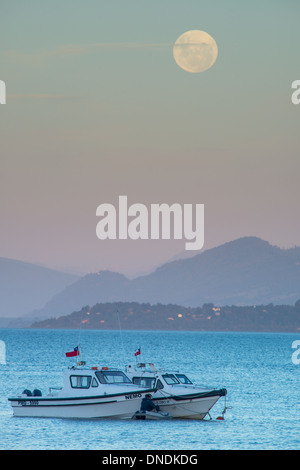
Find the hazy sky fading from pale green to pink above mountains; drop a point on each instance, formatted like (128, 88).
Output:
(97, 108)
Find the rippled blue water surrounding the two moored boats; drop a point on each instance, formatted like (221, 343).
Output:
(256, 368)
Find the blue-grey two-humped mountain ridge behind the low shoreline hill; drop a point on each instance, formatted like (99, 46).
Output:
(246, 271)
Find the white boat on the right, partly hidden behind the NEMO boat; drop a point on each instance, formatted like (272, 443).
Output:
(175, 393)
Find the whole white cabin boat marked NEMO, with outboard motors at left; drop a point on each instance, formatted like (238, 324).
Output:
(86, 393)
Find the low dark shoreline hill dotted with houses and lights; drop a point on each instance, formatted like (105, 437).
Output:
(135, 316)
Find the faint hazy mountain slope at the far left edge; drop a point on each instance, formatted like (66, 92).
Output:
(25, 287)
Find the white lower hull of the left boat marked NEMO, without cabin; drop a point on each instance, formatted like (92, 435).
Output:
(121, 406)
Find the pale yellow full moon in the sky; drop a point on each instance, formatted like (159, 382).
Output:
(195, 51)
